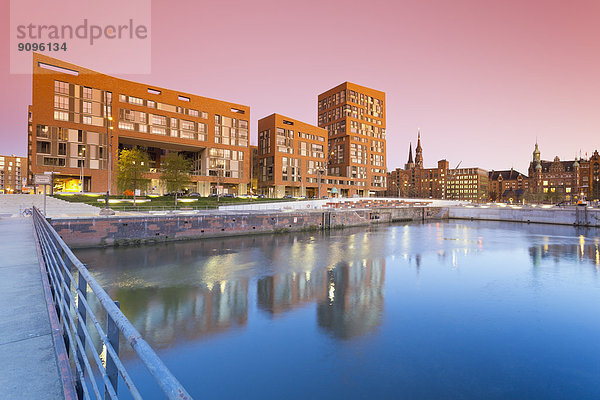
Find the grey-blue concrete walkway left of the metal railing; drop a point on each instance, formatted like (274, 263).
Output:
(28, 361)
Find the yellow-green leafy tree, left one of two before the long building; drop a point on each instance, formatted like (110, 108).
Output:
(133, 165)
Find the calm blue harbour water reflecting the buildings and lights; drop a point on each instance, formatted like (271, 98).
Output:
(457, 310)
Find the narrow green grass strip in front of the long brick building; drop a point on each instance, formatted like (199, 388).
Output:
(160, 202)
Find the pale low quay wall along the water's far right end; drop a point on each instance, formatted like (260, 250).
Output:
(578, 216)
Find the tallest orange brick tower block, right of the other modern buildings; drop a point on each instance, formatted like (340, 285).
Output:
(354, 117)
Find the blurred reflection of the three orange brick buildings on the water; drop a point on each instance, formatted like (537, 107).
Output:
(185, 291)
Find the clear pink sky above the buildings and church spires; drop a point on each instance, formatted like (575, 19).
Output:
(480, 78)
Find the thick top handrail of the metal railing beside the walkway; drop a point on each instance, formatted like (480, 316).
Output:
(170, 386)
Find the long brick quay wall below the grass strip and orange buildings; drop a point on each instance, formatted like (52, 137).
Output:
(121, 231)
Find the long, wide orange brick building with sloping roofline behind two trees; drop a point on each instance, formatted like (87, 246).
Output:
(80, 119)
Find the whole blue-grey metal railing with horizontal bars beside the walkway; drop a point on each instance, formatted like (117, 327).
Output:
(69, 282)
